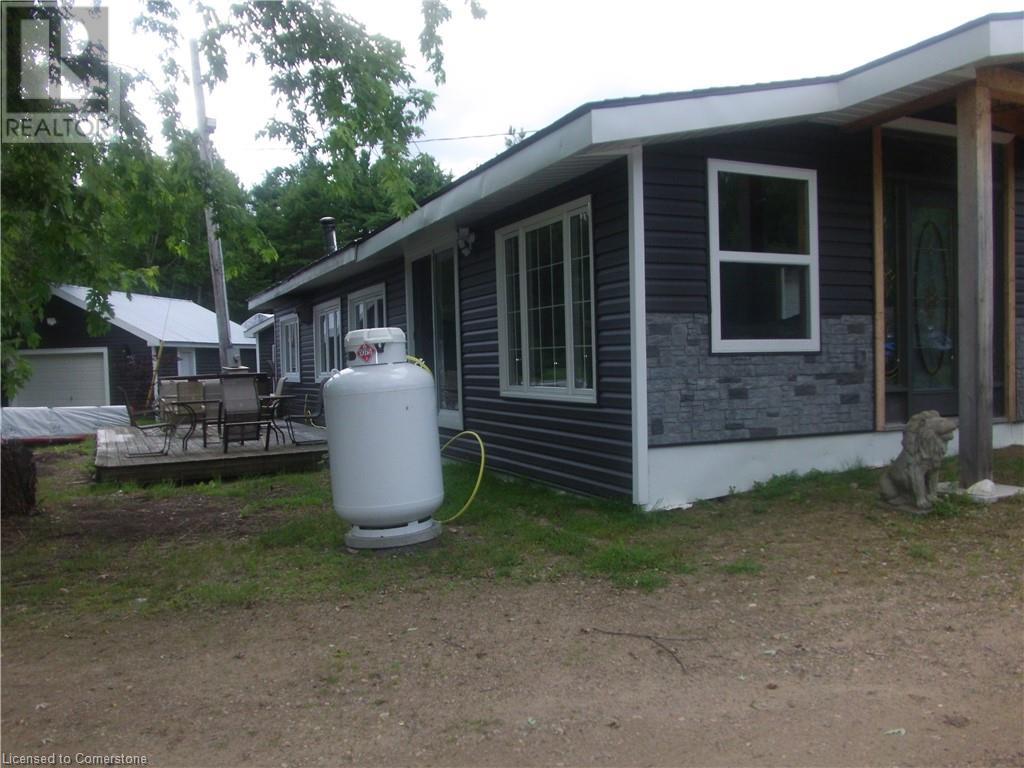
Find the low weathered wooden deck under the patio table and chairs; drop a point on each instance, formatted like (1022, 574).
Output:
(114, 463)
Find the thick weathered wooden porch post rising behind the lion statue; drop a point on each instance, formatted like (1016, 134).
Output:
(974, 185)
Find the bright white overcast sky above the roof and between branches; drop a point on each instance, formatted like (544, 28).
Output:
(531, 62)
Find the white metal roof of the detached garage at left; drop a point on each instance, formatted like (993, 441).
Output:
(160, 320)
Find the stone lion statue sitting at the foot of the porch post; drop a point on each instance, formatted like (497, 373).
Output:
(914, 476)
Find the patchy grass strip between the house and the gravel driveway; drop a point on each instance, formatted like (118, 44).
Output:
(279, 540)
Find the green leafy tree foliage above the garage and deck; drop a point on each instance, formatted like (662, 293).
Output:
(119, 217)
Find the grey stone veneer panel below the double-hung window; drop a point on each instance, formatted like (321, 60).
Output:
(696, 397)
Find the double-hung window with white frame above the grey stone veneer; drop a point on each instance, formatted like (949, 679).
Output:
(764, 259)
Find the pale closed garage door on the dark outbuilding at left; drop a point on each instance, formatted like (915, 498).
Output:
(65, 378)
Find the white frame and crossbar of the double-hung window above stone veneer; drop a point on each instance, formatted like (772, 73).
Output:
(718, 257)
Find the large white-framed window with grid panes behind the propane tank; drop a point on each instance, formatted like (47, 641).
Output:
(546, 306)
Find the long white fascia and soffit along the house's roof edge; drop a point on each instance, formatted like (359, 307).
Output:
(598, 134)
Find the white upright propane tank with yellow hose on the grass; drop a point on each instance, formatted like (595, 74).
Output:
(381, 415)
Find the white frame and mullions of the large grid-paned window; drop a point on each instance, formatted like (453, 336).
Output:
(568, 394)
